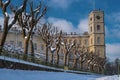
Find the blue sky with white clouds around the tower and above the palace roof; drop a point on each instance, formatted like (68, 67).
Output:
(72, 16)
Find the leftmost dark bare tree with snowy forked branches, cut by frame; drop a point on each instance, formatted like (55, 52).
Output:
(7, 26)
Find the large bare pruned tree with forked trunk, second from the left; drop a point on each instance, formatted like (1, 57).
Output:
(28, 21)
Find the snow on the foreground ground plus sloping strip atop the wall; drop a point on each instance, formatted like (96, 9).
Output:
(8, 74)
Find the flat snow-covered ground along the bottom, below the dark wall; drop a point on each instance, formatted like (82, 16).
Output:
(8, 74)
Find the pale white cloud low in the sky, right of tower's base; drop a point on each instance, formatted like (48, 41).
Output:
(113, 50)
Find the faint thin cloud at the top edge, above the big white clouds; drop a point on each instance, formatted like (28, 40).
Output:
(61, 3)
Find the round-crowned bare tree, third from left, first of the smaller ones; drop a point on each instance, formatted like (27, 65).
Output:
(46, 33)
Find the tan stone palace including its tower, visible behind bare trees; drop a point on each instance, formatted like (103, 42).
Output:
(93, 40)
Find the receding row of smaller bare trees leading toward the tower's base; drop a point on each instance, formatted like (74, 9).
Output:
(55, 40)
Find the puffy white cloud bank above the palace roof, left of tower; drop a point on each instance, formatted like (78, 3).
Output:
(67, 26)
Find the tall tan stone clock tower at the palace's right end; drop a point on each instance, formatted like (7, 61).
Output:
(97, 33)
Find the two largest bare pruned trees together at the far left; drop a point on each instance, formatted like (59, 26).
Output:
(26, 19)
